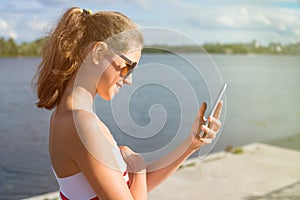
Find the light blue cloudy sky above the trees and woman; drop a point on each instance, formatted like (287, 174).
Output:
(205, 21)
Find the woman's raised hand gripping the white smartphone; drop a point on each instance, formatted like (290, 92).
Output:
(210, 131)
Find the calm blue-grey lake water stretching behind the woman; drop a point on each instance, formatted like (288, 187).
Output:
(262, 104)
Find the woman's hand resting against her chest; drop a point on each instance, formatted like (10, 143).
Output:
(135, 162)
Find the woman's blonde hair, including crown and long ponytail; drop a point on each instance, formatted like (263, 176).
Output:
(65, 47)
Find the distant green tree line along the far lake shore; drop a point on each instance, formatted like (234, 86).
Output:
(9, 48)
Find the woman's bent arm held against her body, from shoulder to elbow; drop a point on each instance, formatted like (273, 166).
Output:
(92, 151)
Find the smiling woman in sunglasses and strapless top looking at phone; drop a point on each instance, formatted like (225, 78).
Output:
(88, 54)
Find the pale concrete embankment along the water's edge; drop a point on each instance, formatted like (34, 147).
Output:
(248, 174)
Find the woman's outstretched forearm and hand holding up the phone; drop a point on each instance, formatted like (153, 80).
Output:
(166, 166)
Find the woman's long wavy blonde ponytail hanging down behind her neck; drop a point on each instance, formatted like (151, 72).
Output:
(58, 63)
